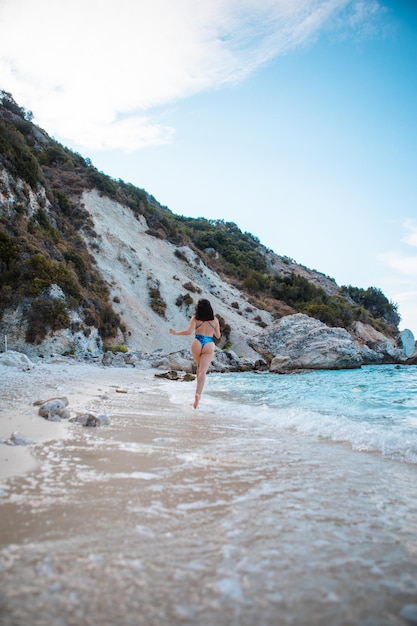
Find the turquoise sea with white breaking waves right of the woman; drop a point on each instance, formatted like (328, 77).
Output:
(372, 409)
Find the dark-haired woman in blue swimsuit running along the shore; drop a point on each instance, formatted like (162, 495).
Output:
(202, 347)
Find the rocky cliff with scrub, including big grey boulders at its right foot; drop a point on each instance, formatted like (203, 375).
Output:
(82, 271)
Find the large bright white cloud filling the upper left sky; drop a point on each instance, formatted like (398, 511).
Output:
(90, 69)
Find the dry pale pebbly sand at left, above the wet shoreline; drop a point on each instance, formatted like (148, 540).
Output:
(88, 387)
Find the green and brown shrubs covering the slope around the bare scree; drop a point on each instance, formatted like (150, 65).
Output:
(47, 247)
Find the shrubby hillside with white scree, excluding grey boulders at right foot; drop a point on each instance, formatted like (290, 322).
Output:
(88, 262)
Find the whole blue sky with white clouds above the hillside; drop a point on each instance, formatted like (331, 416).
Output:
(294, 119)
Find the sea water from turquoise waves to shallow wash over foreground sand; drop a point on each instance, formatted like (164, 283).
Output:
(283, 500)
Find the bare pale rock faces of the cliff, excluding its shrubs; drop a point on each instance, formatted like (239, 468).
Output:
(138, 267)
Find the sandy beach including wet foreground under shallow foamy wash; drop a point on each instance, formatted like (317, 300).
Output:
(176, 517)
